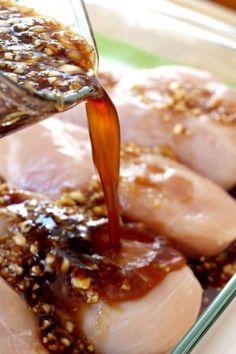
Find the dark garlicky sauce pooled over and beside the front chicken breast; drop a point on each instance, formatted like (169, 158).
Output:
(57, 256)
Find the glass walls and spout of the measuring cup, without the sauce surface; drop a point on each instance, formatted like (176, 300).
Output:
(19, 106)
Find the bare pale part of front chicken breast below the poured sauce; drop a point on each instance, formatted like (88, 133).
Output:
(155, 328)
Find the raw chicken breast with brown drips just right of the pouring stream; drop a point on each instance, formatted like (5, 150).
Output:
(195, 213)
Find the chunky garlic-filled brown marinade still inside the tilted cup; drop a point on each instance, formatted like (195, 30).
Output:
(39, 53)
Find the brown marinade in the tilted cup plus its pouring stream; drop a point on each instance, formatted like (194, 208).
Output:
(47, 59)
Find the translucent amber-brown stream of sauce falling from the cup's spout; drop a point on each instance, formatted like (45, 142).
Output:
(105, 138)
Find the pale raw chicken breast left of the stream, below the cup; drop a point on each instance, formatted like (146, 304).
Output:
(46, 157)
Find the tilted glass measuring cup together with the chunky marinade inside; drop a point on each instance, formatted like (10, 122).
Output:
(47, 64)
